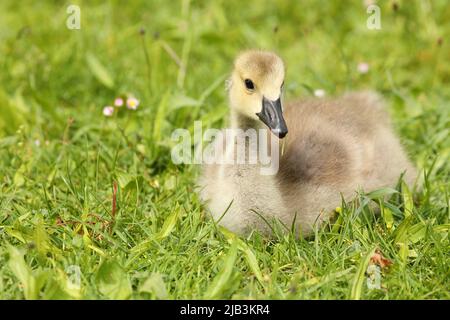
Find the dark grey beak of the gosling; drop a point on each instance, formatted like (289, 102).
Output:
(272, 115)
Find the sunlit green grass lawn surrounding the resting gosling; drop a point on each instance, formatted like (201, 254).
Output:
(56, 196)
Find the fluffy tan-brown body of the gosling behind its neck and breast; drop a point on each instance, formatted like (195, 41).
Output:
(337, 146)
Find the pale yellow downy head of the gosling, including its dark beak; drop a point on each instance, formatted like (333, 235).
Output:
(256, 87)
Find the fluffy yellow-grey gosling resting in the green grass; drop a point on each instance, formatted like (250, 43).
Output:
(328, 148)
